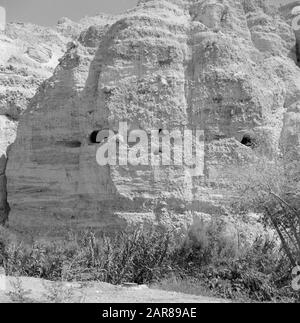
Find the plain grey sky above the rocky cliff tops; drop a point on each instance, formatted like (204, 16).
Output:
(47, 12)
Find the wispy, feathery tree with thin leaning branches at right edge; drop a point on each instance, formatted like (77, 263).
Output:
(269, 188)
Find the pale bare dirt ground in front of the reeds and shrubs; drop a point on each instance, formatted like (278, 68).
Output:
(37, 290)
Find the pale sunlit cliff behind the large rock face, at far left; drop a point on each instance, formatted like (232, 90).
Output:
(29, 54)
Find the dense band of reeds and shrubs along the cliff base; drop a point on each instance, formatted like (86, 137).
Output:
(203, 264)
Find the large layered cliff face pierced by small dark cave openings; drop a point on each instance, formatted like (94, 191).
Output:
(228, 67)
